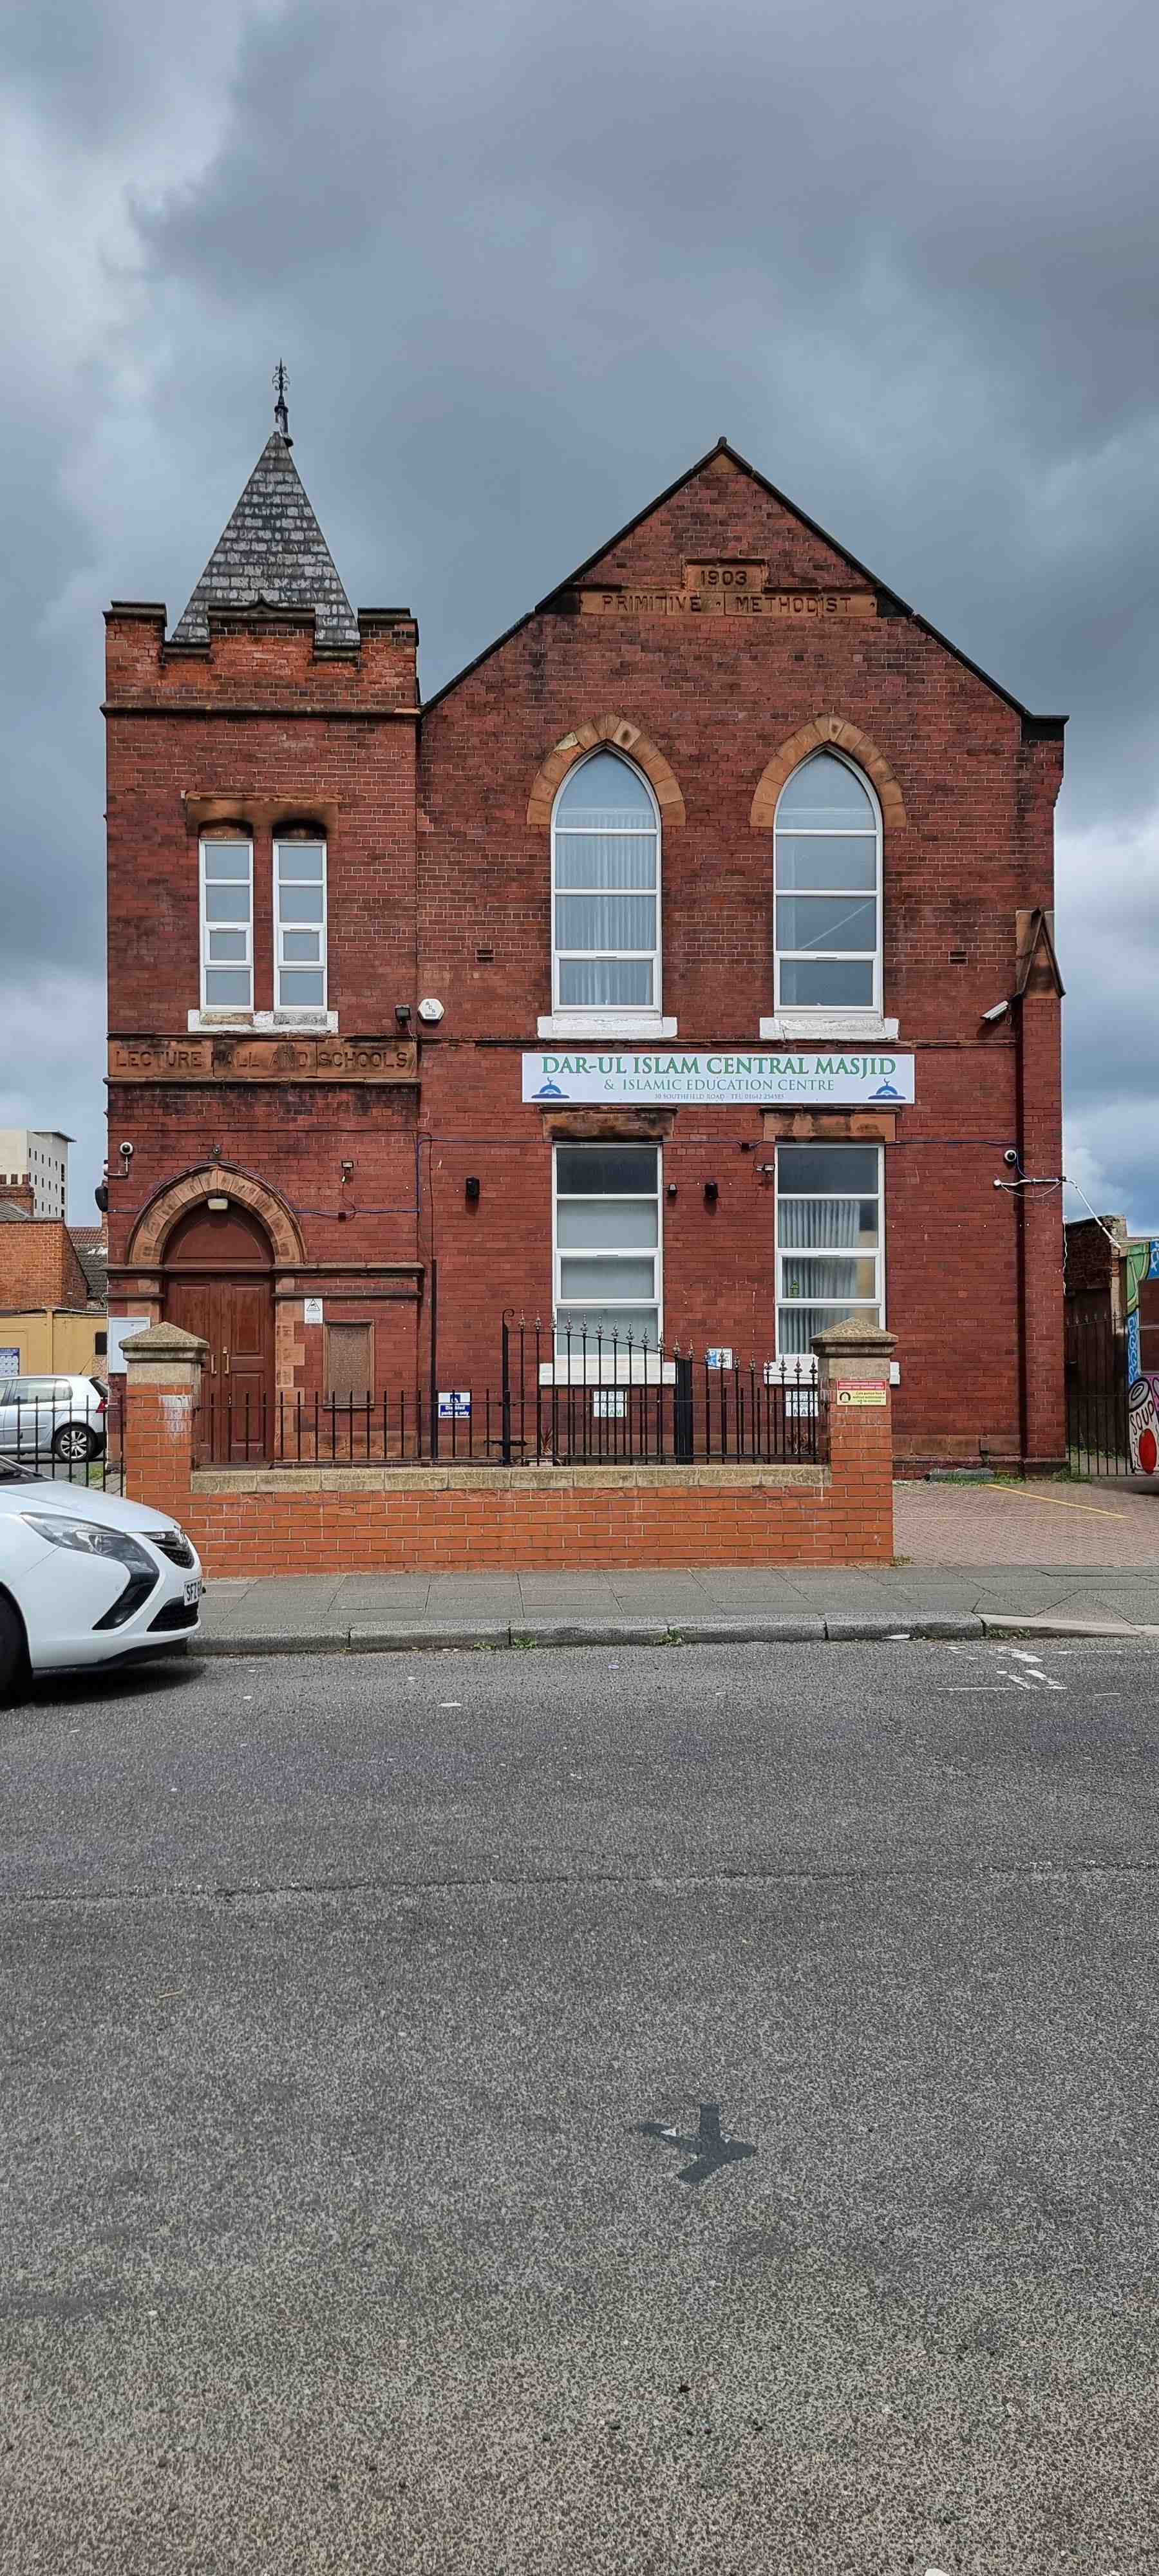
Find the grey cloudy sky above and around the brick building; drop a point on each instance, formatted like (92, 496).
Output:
(527, 261)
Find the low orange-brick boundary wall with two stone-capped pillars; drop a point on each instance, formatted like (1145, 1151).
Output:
(465, 1519)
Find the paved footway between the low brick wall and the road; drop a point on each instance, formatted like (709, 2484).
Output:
(975, 1560)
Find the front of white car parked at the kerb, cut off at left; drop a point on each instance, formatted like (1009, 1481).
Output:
(89, 1578)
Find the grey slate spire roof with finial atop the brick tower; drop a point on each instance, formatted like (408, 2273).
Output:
(272, 555)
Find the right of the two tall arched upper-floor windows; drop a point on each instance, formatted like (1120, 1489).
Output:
(828, 890)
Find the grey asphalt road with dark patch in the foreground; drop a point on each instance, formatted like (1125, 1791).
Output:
(344, 2008)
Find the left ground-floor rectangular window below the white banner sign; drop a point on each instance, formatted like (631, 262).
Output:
(607, 1253)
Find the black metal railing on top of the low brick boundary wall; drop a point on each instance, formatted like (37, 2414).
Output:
(560, 1397)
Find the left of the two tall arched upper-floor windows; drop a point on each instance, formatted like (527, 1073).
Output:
(607, 890)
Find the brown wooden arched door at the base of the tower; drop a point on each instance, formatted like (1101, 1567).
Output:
(220, 1284)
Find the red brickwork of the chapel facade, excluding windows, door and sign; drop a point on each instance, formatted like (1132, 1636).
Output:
(439, 885)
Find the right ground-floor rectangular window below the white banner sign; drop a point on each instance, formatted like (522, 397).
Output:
(831, 1253)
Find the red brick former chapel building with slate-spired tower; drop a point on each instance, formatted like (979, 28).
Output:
(650, 975)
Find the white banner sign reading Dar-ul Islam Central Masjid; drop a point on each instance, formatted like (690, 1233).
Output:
(833, 1078)
